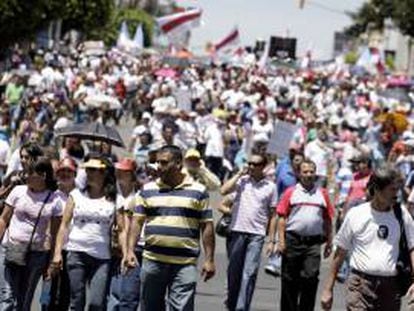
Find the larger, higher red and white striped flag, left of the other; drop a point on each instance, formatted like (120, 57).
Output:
(179, 22)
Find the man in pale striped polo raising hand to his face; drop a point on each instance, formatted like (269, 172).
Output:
(255, 196)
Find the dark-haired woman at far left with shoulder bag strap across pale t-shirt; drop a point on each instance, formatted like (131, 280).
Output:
(29, 223)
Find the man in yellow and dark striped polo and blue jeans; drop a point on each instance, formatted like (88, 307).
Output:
(176, 212)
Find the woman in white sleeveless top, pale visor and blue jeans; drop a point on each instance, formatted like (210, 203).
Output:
(87, 221)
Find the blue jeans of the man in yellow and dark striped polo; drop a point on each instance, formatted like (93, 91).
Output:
(178, 281)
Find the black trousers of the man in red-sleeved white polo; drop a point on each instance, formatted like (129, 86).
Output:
(300, 271)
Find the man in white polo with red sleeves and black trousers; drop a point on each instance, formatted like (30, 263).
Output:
(305, 223)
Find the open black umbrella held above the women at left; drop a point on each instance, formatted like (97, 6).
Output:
(95, 131)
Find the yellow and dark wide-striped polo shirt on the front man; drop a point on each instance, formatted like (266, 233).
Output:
(172, 220)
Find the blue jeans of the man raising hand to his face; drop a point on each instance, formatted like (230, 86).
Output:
(244, 263)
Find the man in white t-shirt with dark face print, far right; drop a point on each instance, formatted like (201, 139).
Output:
(371, 234)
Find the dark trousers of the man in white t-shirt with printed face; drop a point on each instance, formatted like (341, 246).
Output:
(371, 293)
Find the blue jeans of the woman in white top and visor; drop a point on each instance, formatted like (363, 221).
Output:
(84, 269)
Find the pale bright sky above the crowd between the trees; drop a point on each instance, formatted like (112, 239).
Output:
(313, 26)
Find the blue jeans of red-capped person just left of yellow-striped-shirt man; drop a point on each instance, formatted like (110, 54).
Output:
(125, 288)
